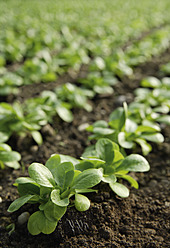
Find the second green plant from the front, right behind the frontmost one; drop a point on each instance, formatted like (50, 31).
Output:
(106, 155)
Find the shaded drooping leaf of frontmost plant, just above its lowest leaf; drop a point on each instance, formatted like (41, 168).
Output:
(54, 212)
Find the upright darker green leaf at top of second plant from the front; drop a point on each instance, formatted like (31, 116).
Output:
(104, 148)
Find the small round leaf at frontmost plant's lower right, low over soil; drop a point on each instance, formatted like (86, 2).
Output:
(82, 203)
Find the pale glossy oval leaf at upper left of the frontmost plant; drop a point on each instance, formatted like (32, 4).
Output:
(41, 175)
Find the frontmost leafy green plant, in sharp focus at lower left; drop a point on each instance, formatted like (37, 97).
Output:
(53, 186)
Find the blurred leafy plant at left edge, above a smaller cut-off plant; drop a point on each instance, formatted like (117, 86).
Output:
(16, 118)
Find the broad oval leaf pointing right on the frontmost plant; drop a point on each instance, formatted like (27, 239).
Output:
(87, 179)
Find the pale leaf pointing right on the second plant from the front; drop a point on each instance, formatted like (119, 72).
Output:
(134, 162)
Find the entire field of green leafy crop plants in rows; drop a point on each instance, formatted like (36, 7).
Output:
(41, 42)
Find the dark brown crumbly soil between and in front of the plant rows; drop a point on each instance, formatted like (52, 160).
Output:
(141, 220)
